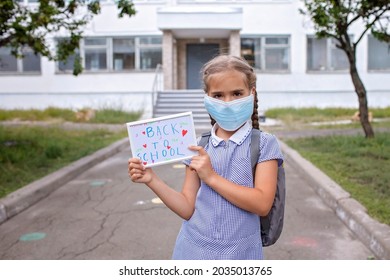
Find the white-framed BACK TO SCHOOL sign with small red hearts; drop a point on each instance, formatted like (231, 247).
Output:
(162, 140)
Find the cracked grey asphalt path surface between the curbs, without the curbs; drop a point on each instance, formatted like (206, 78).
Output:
(101, 214)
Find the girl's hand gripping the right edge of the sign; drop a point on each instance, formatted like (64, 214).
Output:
(201, 164)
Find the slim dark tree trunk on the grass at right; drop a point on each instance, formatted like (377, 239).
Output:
(362, 96)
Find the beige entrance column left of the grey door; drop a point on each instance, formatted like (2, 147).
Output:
(167, 53)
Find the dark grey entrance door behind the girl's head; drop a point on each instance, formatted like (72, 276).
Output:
(197, 56)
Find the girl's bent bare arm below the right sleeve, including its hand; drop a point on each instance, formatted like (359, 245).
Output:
(257, 200)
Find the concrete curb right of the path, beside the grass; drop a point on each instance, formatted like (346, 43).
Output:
(374, 235)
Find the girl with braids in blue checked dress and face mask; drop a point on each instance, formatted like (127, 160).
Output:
(219, 201)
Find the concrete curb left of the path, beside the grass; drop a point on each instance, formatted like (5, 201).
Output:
(25, 197)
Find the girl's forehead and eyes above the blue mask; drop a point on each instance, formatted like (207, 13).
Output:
(228, 86)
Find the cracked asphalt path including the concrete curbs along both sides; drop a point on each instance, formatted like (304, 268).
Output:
(91, 210)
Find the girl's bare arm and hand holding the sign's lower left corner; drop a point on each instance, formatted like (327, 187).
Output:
(182, 203)
